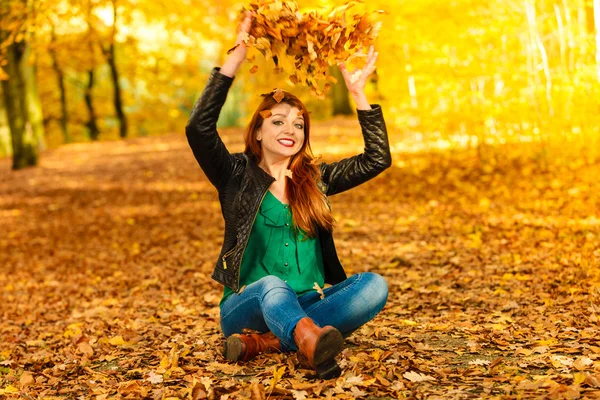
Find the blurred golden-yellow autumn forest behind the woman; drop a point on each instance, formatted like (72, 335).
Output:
(450, 74)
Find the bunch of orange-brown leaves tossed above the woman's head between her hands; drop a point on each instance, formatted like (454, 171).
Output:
(305, 44)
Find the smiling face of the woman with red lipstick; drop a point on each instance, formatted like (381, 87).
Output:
(282, 134)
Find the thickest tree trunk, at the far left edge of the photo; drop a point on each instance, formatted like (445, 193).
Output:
(24, 118)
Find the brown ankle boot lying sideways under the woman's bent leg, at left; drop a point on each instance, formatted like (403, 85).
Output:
(247, 346)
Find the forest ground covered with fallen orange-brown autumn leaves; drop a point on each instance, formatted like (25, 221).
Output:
(106, 251)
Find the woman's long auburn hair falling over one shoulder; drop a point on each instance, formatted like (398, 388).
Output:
(309, 205)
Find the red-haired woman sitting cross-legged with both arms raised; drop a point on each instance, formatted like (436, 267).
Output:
(278, 249)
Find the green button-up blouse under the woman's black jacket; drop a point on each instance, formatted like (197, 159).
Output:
(274, 249)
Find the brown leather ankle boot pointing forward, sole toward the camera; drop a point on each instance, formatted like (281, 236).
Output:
(317, 347)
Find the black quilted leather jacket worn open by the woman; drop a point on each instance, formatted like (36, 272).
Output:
(242, 184)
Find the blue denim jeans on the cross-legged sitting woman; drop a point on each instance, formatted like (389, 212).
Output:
(269, 304)
